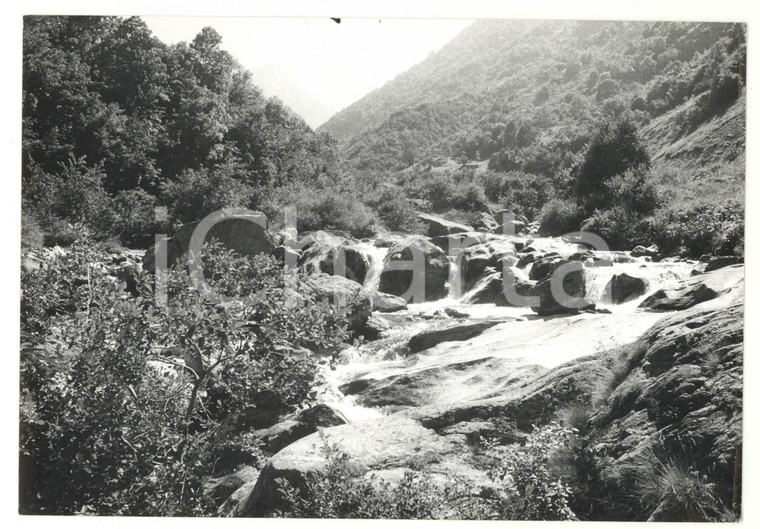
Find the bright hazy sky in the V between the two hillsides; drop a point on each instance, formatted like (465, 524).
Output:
(318, 67)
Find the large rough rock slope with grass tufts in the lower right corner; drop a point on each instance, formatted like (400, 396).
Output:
(674, 418)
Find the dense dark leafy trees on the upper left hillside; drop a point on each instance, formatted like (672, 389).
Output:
(115, 121)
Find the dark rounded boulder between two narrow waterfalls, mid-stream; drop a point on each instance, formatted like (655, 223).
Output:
(433, 267)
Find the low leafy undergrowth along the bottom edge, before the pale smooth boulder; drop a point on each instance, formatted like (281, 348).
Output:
(526, 478)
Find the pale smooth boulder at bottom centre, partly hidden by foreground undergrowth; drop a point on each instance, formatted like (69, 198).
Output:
(384, 448)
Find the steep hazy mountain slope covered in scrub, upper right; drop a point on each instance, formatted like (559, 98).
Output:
(525, 95)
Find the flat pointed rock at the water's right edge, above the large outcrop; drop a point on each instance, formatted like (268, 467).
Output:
(695, 290)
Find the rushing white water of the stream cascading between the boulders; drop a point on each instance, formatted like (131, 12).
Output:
(522, 342)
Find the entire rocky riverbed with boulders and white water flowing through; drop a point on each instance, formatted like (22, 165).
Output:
(427, 376)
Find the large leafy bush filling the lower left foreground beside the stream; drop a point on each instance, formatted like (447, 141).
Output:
(128, 406)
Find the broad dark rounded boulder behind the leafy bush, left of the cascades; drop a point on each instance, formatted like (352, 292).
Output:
(243, 233)
